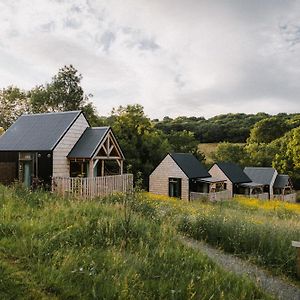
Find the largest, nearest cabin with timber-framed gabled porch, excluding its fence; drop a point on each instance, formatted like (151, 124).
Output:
(38, 147)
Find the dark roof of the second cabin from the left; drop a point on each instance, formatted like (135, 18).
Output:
(190, 165)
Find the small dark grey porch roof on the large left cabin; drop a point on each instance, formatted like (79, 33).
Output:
(88, 142)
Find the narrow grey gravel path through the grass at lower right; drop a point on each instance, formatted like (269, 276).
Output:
(273, 285)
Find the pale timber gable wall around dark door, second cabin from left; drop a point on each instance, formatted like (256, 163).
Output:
(159, 179)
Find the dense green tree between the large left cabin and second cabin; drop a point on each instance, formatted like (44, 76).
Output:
(143, 145)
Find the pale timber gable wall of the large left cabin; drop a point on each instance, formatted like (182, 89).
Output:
(61, 166)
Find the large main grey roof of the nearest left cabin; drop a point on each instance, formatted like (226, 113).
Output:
(37, 132)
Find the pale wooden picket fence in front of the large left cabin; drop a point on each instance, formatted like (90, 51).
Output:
(87, 187)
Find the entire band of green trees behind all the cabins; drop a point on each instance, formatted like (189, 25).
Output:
(269, 140)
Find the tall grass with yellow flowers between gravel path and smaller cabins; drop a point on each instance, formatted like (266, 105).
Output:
(257, 230)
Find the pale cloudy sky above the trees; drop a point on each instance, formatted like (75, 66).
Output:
(174, 57)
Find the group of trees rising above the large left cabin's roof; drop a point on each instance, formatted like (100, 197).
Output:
(63, 93)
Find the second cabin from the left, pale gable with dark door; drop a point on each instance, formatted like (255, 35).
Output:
(181, 175)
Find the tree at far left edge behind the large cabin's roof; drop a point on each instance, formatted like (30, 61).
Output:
(13, 103)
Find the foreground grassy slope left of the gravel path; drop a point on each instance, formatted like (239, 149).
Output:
(57, 249)
